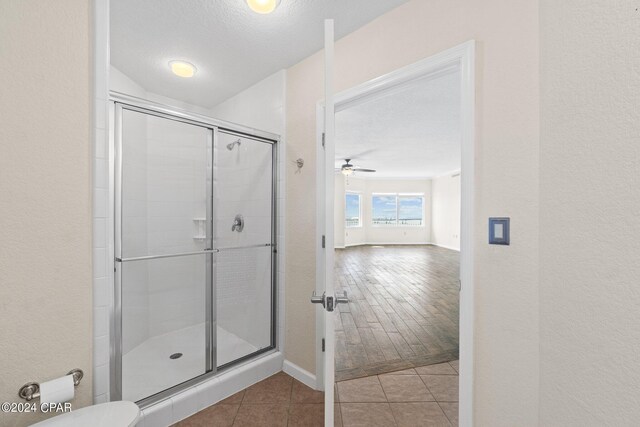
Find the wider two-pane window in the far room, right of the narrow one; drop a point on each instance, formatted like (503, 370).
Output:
(397, 209)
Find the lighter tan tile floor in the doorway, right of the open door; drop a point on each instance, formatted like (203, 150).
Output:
(423, 396)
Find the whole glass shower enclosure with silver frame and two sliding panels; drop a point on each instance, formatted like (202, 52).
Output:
(194, 248)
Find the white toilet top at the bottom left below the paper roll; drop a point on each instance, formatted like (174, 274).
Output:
(110, 414)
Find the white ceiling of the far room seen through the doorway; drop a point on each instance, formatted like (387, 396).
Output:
(408, 132)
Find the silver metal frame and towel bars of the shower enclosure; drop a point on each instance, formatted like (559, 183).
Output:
(119, 102)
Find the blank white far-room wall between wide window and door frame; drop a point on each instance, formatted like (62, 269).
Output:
(445, 211)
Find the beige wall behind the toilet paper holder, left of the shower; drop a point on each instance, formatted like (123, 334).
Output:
(45, 227)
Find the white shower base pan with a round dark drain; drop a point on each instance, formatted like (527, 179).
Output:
(164, 361)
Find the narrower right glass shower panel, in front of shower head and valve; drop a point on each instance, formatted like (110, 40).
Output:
(243, 188)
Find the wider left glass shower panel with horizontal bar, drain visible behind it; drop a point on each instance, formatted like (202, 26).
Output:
(165, 209)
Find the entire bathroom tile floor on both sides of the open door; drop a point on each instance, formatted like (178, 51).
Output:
(423, 396)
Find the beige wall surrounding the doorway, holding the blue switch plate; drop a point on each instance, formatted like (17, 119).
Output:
(506, 181)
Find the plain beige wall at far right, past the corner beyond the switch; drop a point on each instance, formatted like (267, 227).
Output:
(590, 213)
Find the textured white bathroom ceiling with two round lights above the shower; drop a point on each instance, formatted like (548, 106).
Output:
(231, 46)
